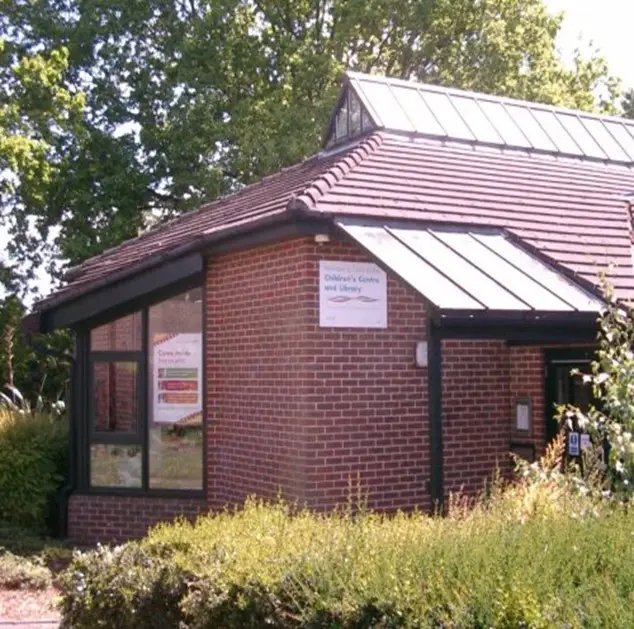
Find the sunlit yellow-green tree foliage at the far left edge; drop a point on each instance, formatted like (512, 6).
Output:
(37, 115)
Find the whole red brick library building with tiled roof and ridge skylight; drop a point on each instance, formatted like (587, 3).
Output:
(395, 314)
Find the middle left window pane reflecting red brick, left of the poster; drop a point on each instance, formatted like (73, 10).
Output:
(115, 396)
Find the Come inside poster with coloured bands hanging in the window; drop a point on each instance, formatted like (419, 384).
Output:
(177, 378)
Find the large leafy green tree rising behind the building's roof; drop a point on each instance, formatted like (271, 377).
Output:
(189, 99)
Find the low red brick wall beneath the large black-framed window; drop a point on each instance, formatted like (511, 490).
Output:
(116, 519)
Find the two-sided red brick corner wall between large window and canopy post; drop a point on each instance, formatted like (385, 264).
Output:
(305, 411)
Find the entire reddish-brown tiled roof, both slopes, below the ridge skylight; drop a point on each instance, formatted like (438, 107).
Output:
(572, 211)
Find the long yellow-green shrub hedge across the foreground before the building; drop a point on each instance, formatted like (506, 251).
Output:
(530, 556)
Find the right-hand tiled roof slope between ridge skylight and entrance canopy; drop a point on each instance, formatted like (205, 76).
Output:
(574, 212)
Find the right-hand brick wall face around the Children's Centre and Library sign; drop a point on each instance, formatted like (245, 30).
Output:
(366, 401)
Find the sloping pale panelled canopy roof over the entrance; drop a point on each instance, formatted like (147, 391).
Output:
(475, 271)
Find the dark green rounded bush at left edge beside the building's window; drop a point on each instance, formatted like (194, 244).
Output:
(33, 466)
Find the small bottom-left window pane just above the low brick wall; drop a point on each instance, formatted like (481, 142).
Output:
(115, 466)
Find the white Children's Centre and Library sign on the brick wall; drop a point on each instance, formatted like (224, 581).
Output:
(352, 295)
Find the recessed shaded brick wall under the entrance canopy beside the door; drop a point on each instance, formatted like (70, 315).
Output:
(482, 381)
